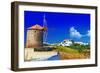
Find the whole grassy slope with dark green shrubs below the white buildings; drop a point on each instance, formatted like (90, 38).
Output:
(73, 52)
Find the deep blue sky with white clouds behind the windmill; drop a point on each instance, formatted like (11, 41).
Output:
(61, 26)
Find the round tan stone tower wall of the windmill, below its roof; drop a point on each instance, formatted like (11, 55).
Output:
(34, 38)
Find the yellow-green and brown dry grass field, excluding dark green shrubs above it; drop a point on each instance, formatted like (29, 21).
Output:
(69, 53)
